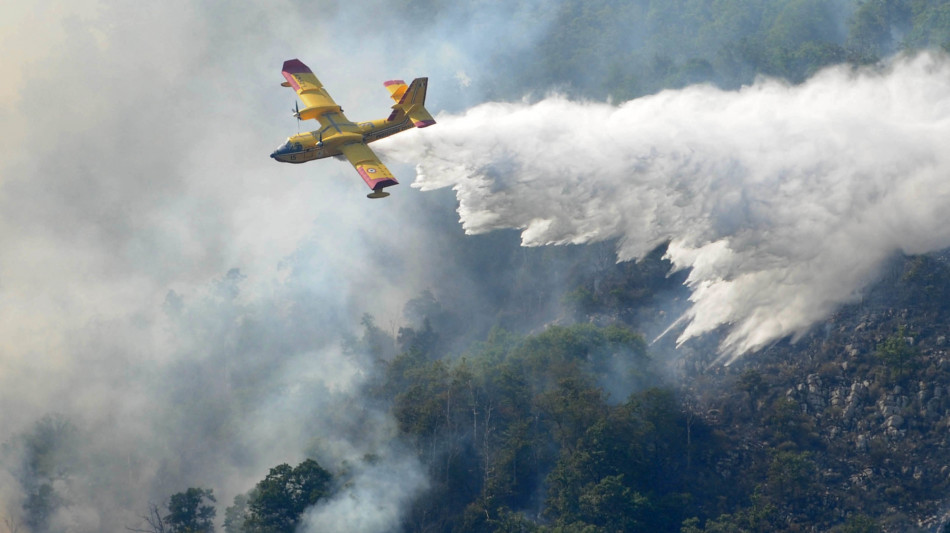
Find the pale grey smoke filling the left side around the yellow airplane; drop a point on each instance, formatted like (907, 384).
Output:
(168, 288)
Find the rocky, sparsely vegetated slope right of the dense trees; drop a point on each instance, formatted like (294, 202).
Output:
(853, 419)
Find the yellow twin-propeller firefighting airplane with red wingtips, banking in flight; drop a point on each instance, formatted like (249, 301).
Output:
(338, 136)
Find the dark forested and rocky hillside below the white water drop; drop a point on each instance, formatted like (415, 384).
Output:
(590, 428)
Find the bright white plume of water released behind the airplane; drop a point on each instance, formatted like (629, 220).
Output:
(782, 200)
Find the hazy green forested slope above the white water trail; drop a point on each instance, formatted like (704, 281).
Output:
(628, 49)
